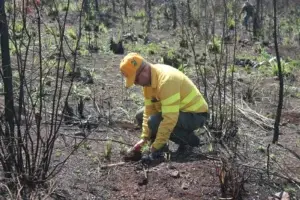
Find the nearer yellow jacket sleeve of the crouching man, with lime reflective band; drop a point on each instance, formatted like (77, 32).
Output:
(169, 94)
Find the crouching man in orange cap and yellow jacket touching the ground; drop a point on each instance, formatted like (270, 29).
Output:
(174, 107)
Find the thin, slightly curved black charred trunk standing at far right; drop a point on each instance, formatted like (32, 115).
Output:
(280, 101)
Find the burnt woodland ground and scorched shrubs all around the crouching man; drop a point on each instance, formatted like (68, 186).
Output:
(66, 120)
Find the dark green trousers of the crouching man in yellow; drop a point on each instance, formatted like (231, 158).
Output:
(183, 133)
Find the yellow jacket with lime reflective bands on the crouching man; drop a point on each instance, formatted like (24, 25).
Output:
(171, 91)
